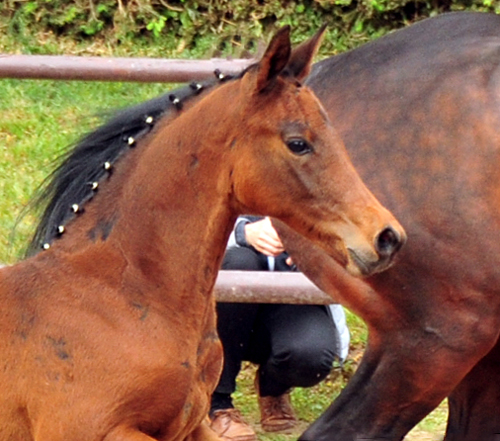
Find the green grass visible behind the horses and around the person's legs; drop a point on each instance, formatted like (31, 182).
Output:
(38, 120)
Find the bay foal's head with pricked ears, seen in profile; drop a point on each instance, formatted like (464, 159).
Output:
(291, 164)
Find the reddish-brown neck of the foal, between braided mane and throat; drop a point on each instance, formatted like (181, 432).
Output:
(175, 214)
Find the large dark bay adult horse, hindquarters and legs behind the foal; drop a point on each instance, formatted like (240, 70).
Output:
(419, 112)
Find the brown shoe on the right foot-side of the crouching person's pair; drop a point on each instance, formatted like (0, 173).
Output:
(276, 413)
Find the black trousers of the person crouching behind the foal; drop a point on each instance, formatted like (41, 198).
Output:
(294, 345)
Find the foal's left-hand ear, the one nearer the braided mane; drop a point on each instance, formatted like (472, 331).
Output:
(275, 58)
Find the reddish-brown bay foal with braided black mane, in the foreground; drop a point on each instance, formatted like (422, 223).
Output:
(108, 334)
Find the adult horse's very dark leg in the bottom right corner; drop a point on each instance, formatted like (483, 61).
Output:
(474, 406)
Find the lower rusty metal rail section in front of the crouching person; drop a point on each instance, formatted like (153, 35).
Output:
(268, 287)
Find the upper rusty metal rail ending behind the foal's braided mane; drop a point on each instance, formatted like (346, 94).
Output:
(146, 70)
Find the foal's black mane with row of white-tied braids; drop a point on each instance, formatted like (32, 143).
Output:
(81, 169)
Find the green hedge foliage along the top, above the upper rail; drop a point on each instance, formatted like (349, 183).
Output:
(214, 27)
